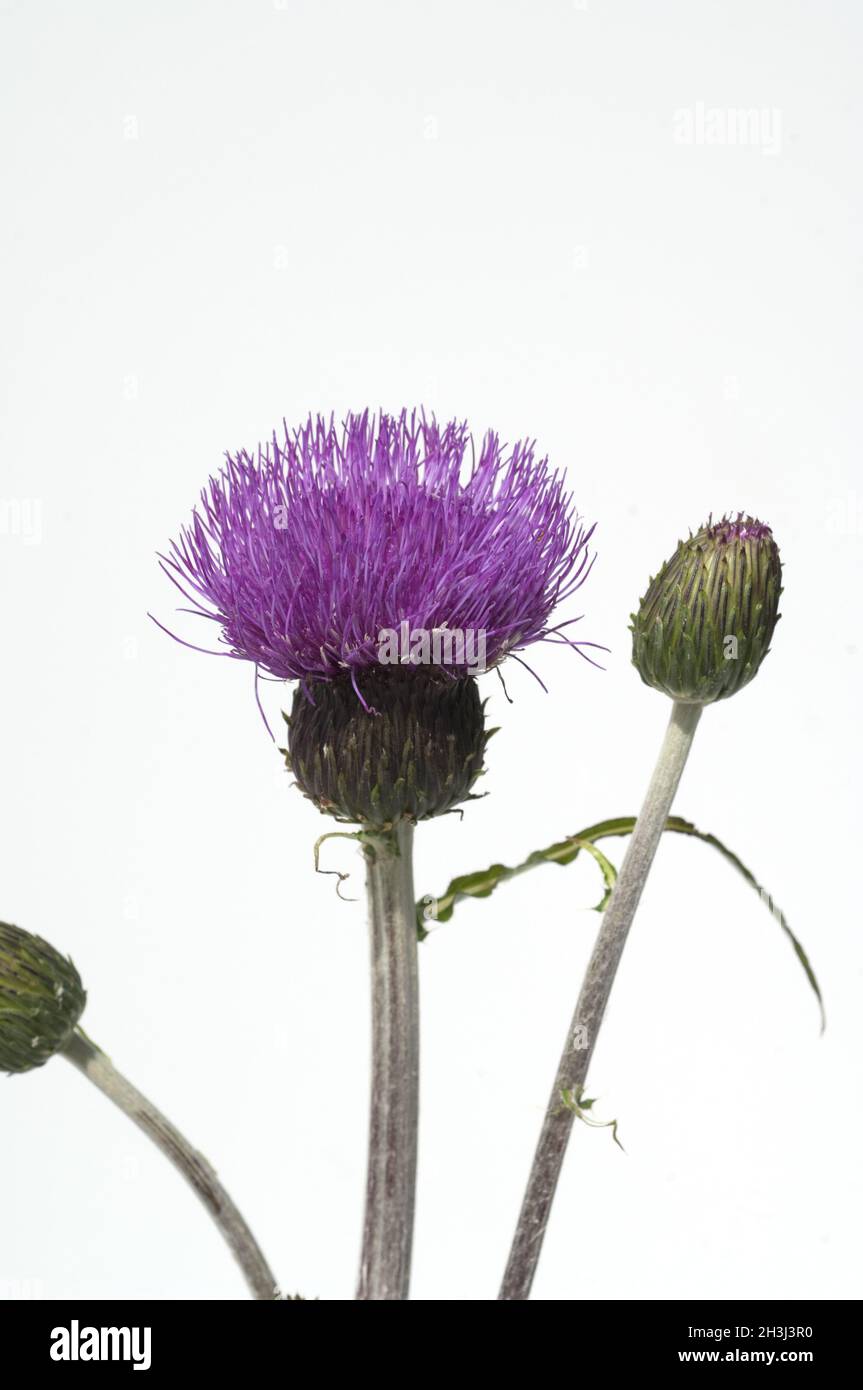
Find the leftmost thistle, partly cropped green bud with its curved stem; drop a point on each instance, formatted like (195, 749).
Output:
(41, 1004)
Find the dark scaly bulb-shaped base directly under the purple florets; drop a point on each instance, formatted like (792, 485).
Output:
(413, 754)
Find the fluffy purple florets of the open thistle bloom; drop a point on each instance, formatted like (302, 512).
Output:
(305, 553)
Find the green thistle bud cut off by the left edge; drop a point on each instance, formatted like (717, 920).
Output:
(41, 1000)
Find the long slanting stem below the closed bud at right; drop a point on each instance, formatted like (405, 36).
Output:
(602, 968)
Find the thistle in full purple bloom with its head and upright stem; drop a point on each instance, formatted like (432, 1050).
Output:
(384, 566)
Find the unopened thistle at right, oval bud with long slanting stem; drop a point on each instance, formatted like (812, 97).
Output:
(701, 635)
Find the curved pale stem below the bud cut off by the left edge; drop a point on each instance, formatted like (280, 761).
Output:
(101, 1071)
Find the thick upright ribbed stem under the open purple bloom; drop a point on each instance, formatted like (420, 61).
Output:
(395, 1068)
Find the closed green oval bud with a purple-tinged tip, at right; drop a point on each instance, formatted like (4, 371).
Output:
(707, 622)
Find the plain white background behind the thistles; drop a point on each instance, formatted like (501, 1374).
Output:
(220, 215)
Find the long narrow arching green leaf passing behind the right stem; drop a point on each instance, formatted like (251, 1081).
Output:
(566, 851)
